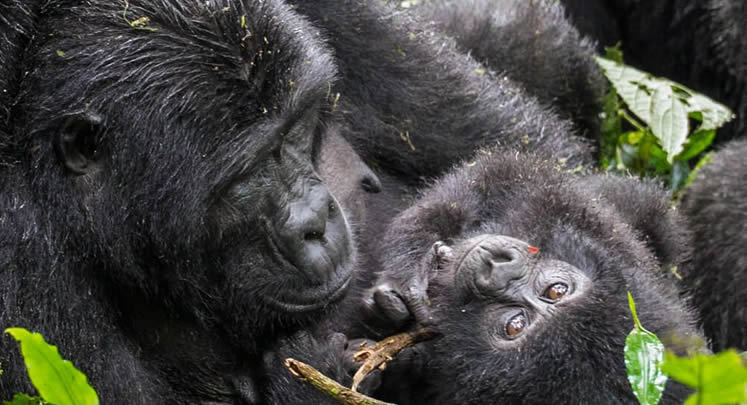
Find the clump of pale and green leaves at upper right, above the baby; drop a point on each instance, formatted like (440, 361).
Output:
(653, 126)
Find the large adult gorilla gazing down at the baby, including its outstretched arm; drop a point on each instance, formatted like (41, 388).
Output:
(162, 217)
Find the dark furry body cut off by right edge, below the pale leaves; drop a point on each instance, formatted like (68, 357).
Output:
(716, 206)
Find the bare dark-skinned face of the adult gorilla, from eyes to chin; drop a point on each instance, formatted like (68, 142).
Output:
(305, 246)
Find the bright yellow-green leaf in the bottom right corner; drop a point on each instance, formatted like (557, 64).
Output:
(717, 379)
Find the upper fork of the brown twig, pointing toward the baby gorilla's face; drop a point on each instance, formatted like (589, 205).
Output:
(384, 351)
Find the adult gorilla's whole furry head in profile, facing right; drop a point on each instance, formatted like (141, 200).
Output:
(186, 155)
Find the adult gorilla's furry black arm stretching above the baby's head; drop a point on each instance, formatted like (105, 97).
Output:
(416, 104)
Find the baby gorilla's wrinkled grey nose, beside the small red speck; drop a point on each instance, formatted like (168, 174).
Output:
(495, 262)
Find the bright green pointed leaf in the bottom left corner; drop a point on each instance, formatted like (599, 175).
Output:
(57, 380)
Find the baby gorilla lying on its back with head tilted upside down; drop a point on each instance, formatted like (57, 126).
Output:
(524, 269)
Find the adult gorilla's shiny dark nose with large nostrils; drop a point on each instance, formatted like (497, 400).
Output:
(314, 234)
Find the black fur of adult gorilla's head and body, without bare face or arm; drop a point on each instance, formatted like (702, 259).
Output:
(146, 264)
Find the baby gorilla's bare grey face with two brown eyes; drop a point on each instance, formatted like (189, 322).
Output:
(519, 288)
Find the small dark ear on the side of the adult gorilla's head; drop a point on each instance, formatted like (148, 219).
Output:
(78, 140)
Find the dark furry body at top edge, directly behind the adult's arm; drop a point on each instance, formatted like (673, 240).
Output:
(533, 43)
